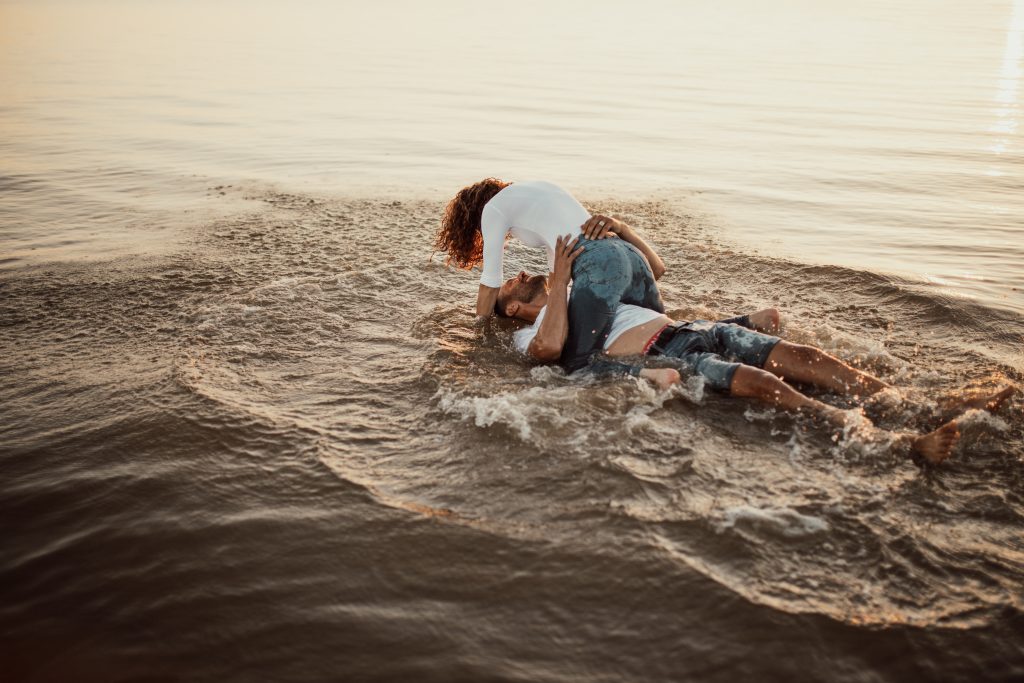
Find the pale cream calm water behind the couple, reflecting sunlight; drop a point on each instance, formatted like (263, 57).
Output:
(837, 133)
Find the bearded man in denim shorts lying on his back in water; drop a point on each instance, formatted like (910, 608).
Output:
(731, 358)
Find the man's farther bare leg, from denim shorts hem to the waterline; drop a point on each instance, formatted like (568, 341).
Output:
(813, 366)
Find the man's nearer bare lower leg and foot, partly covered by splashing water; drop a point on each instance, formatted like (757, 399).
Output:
(754, 383)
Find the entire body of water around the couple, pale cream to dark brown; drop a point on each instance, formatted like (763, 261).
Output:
(249, 431)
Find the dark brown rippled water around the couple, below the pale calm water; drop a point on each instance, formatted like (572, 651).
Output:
(282, 452)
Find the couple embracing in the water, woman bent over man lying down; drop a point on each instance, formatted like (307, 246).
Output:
(600, 310)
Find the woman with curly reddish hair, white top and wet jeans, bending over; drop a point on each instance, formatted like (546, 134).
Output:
(480, 219)
